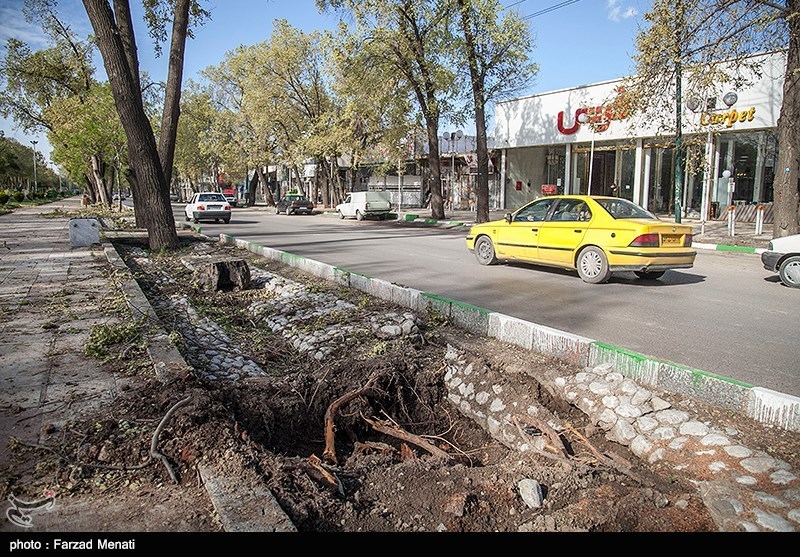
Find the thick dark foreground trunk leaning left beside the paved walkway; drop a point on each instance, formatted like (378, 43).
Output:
(145, 165)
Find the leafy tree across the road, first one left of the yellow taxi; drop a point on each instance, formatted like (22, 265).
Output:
(410, 38)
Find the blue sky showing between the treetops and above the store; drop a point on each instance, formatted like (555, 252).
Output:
(576, 42)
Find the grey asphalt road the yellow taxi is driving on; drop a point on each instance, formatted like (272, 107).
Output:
(726, 315)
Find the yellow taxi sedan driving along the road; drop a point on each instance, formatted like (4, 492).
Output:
(593, 235)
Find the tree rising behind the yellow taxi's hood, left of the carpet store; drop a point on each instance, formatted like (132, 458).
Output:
(495, 51)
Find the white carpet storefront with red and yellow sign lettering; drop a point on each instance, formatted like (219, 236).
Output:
(577, 141)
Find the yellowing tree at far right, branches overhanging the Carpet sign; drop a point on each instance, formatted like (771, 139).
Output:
(698, 42)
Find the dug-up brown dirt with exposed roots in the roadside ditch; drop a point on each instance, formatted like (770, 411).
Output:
(272, 421)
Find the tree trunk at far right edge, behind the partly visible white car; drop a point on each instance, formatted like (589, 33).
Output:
(785, 188)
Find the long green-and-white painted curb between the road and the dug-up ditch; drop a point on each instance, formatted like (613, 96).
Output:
(762, 405)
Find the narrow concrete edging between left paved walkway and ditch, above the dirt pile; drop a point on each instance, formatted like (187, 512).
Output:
(168, 362)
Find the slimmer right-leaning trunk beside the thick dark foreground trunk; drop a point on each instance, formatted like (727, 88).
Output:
(172, 95)
